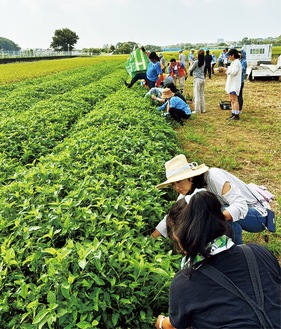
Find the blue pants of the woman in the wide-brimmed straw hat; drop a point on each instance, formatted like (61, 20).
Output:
(253, 222)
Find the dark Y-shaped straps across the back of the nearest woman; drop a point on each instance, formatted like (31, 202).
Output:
(224, 281)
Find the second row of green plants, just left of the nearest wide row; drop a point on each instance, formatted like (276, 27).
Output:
(34, 133)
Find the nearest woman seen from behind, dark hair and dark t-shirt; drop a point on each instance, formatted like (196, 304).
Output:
(201, 233)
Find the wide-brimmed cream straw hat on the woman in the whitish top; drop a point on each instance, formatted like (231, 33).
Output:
(178, 169)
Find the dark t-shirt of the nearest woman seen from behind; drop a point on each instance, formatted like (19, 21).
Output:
(200, 302)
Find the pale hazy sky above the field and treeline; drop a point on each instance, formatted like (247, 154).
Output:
(31, 23)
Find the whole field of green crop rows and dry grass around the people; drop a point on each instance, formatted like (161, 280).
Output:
(80, 158)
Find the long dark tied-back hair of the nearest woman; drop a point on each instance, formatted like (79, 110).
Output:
(192, 226)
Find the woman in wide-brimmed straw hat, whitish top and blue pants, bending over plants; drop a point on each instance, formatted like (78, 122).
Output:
(240, 205)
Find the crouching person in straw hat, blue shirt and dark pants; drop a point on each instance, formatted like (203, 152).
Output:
(175, 106)
